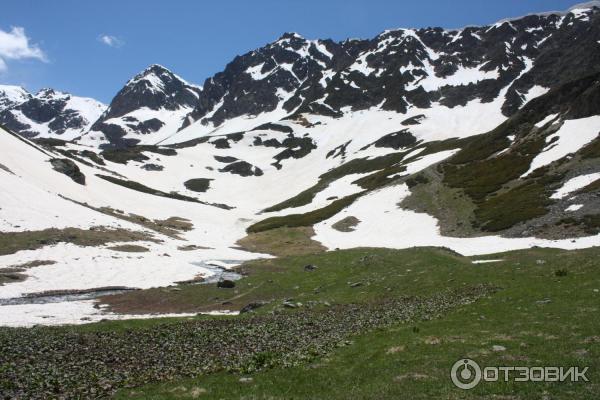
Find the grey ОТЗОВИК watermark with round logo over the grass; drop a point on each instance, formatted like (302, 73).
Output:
(466, 374)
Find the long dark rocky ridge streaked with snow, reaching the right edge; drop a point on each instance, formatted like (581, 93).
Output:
(399, 70)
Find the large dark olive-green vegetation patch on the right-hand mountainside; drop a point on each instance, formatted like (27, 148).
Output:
(492, 181)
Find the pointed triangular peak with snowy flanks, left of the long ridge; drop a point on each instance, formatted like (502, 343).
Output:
(151, 105)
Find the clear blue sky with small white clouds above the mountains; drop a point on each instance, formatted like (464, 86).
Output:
(91, 48)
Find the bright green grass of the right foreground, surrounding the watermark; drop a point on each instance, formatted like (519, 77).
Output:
(413, 361)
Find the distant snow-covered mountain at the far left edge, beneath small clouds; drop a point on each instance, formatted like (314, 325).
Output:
(48, 113)
